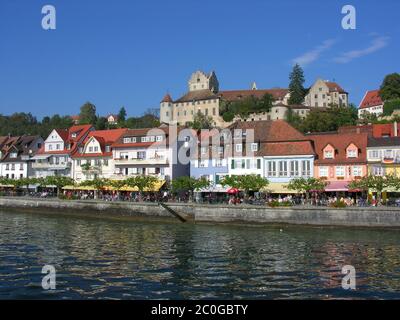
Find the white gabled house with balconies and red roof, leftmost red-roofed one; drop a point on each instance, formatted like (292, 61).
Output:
(54, 157)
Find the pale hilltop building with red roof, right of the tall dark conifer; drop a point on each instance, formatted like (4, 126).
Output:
(324, 93)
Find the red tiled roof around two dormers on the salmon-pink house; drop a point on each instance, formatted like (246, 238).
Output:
(340, 142)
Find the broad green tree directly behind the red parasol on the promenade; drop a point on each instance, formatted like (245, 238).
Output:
(247, 183)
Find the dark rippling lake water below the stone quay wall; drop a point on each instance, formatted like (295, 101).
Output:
(137, 260)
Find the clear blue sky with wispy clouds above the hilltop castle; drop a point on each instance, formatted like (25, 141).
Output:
(130, 53)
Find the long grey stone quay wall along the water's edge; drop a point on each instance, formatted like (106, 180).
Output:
(350, 217)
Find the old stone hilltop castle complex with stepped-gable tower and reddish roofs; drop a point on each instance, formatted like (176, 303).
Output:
(205, 97)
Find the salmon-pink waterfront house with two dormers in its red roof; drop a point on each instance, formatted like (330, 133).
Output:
(340, 158)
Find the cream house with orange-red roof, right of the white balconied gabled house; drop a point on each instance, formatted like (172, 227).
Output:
(94, 157)
